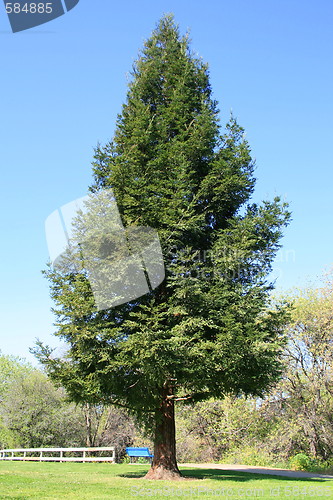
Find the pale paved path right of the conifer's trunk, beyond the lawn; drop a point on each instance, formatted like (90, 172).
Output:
(258, 470)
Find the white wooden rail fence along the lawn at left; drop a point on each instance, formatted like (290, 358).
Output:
(43, 454)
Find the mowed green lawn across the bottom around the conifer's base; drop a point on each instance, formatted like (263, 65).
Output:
(25, 480)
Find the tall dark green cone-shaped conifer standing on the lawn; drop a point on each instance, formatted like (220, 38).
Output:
(206, 330)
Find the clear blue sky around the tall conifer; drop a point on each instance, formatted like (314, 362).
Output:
(63, 83)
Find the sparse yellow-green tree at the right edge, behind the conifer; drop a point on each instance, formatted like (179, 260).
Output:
(303, 400)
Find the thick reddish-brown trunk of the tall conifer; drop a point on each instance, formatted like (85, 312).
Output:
(164, 464)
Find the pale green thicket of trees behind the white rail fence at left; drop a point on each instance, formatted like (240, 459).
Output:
(33, 413)
